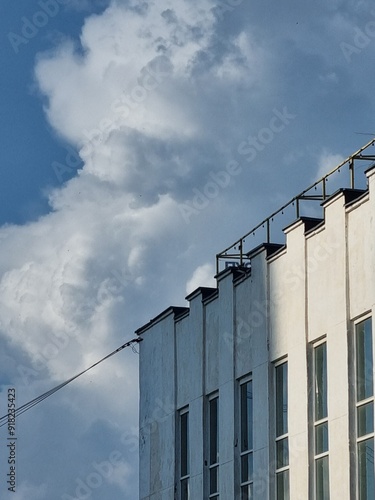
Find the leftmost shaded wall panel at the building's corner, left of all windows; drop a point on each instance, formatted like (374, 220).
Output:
(157, 412)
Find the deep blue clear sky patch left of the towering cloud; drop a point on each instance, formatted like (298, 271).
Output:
(30, 144)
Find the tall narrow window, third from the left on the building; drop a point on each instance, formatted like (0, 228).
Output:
(246, 434)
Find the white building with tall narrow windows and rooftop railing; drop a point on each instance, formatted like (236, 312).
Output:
(264, 386)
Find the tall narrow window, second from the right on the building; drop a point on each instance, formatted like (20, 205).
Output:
(321, 422)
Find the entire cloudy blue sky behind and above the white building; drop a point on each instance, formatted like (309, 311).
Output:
(139, 139)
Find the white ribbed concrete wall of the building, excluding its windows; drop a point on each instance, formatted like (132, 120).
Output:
(315, 288)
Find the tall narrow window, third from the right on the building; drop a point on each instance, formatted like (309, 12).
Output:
(282, 441)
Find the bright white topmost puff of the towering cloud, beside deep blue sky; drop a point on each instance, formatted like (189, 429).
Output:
(132, 59)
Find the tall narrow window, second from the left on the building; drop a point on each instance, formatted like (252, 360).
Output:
(213, 447)
